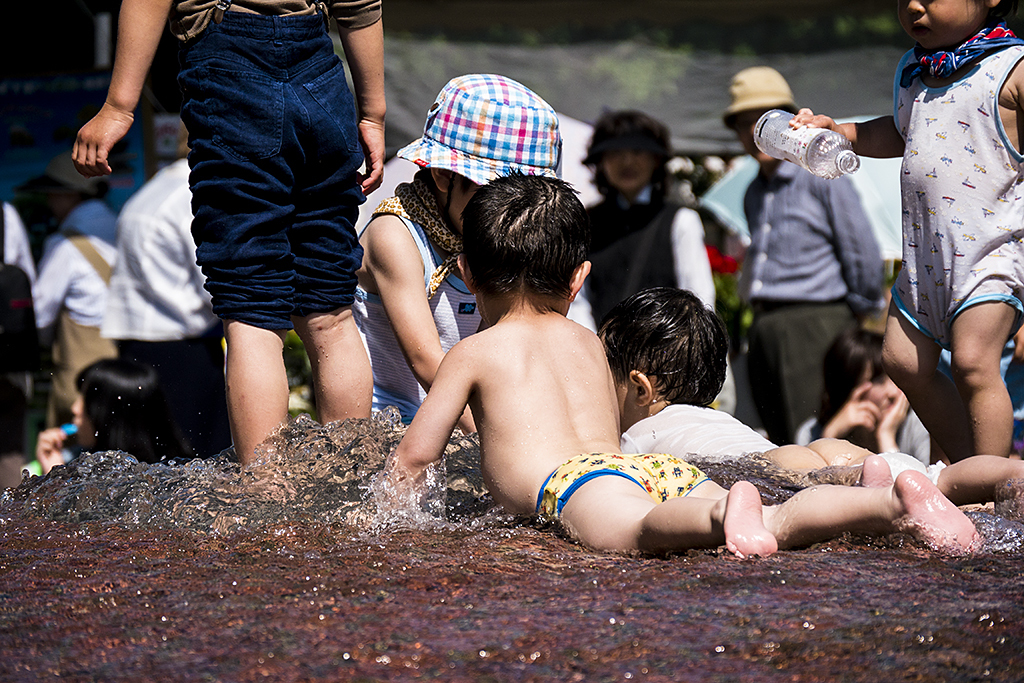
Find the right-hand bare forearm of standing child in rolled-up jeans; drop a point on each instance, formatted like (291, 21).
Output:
(365, 54)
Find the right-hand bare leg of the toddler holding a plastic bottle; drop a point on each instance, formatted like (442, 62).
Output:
(979, 334)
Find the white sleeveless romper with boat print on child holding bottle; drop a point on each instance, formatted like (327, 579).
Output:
(963, 198)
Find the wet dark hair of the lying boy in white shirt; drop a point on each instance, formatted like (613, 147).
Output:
(668, 334)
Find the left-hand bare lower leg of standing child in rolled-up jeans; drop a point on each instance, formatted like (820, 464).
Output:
(257, 383)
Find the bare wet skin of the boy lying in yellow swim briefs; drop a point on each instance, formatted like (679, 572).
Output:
(542, 393)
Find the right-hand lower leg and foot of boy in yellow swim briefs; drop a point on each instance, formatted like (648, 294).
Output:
(912, 504)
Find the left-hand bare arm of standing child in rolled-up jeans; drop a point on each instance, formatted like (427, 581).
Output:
(141, 25)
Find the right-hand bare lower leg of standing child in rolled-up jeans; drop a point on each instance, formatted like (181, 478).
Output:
(343, 379)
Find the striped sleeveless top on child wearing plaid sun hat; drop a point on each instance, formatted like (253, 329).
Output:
(455, 315)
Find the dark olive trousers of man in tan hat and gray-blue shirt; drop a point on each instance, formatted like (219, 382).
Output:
(787, 348)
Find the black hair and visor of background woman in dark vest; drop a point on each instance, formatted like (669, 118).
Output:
(632, 131)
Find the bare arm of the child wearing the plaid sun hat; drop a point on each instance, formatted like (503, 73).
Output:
(394, 268)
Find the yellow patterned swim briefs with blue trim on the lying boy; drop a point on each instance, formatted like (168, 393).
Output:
(661, 476)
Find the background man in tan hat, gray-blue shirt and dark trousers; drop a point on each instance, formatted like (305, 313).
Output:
(814, 268)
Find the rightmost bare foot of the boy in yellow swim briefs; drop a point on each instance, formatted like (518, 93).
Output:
(931, 518)
